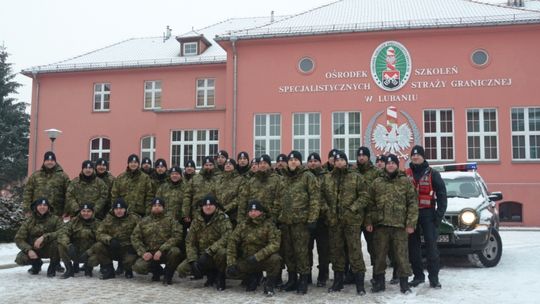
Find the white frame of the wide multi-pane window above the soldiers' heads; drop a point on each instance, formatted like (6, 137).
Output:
(194, 143)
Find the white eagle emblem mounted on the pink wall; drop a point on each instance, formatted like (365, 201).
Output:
(393, 141)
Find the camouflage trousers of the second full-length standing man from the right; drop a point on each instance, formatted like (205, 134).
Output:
(344, 242)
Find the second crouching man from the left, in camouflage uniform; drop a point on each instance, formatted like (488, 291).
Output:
(75, 240)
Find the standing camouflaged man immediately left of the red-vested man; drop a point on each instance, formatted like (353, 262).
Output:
(392, 216)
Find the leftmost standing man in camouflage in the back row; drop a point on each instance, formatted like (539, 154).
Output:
(49, 182)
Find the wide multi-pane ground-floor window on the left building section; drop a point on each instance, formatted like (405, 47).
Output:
(193, 144)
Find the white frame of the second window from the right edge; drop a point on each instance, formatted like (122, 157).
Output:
(482, 133)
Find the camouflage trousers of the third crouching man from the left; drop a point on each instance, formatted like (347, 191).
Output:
(103, 255)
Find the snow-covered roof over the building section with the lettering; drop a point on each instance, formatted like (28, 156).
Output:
(369, 15)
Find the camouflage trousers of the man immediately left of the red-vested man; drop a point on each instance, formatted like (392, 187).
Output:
(396, 239)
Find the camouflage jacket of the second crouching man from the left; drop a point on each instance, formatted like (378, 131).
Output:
(79, 232)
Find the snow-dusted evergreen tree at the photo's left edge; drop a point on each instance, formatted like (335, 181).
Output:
(14, 127)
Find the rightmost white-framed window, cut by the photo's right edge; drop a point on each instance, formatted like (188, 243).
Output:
(526, 133)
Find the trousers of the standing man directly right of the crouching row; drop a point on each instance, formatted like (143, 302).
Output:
(294, 247)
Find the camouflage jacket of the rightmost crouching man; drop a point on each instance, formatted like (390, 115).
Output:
(259, 237)
